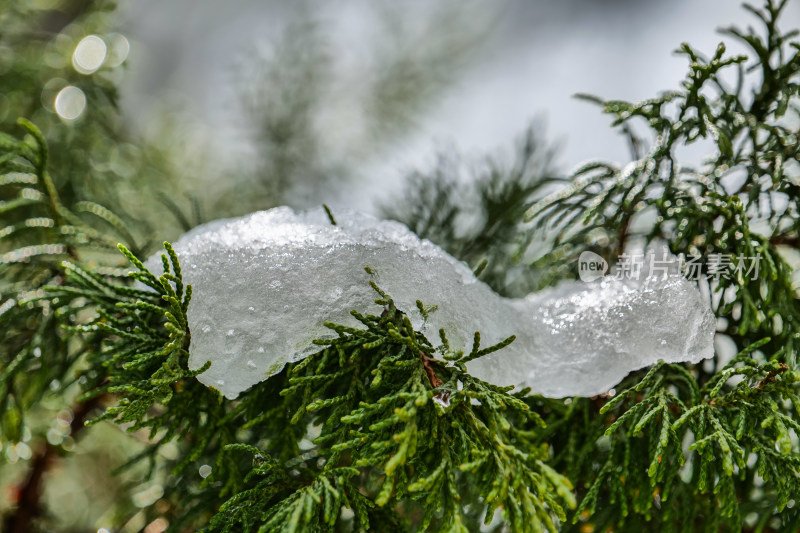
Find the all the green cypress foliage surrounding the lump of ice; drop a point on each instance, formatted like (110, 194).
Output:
(383, 429)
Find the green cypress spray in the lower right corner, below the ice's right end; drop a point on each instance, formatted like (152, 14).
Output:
(733, 434)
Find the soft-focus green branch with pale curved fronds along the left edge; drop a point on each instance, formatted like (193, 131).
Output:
(38, 233)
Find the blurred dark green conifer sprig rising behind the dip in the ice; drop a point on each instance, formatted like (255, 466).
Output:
(478, 218)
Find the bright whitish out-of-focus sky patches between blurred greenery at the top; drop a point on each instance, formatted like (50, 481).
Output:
(536, 55)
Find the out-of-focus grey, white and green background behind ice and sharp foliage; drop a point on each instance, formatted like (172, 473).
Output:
(175, 112)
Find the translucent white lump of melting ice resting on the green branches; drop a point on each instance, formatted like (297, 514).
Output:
(265, 283)
